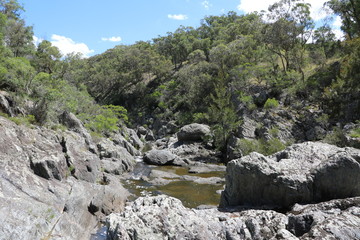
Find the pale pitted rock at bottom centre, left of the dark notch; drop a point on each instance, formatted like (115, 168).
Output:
(174, 221)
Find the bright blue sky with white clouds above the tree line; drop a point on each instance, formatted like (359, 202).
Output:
(93, 26)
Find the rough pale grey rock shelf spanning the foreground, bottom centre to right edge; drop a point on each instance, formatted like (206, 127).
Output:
(165, 217)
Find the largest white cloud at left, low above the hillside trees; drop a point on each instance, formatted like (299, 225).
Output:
(67, 45)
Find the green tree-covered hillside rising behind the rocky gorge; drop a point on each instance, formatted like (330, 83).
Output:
(232, 66)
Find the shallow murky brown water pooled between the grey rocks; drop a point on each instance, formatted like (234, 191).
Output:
(191, 194)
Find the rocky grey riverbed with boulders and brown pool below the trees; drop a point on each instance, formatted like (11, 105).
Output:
(66, 185)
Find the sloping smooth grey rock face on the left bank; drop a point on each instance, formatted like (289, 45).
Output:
(53, 185)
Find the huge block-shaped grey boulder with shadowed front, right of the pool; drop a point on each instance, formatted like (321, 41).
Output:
(302, 173)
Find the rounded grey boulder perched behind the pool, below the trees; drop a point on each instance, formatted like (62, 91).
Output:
(194, 132)
